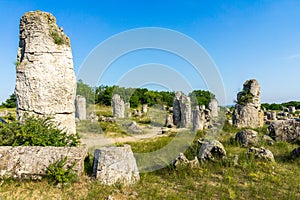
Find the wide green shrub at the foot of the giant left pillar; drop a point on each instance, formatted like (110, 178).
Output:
(35, 132)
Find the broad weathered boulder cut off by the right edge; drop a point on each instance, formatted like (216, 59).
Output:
(285, 130)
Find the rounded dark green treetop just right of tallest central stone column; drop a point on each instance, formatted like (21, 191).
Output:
(201, 97)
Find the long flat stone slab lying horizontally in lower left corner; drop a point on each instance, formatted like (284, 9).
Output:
(32, 161)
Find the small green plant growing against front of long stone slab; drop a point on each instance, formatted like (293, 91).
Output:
(58, 172)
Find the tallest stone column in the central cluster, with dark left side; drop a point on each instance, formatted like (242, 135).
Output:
(182, 112)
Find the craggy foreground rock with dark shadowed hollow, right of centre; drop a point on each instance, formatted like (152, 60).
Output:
(211, 150)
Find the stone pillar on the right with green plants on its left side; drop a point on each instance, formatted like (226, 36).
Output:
(247, 111)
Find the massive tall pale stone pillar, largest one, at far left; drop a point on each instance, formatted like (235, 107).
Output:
(45, 83)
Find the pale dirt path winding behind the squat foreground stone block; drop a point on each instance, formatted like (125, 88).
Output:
(92, 140)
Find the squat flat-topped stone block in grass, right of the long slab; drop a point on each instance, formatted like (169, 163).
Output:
(115, 165)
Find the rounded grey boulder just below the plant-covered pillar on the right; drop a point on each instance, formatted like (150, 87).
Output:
(247, 137)
